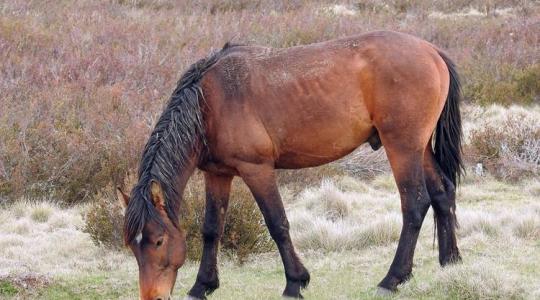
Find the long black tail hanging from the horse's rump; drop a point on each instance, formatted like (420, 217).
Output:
(448, 134)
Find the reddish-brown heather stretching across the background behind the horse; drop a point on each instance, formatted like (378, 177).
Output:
(83, 81)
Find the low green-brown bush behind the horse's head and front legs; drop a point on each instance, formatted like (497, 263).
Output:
(245, 231)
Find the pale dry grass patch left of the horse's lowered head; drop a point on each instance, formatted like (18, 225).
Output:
(52, 246)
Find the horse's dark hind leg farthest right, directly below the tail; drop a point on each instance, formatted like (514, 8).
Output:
(443, 195)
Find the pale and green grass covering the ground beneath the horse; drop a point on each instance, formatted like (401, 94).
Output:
(346, 255)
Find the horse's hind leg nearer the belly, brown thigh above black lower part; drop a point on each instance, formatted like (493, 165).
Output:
(408, 172)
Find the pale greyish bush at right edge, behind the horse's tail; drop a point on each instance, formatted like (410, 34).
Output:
(508, 145)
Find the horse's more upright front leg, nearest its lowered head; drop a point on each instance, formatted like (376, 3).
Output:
(217, 199)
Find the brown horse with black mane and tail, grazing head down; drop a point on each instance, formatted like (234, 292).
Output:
(247, 111)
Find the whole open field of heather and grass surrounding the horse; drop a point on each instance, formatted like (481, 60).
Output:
(83, 82)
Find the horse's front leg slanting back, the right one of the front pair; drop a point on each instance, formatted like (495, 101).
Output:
(261, 180)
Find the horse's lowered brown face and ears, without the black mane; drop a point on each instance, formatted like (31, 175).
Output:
(160, 249)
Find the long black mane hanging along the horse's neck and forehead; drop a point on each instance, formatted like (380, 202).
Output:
(178, 134)
